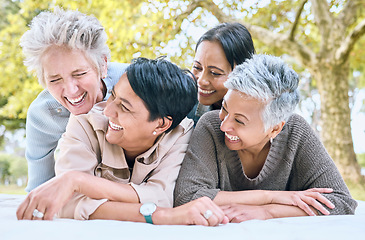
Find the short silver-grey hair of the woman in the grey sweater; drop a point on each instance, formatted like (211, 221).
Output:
(271, 81)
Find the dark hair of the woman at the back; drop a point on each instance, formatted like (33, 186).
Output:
(235, 39)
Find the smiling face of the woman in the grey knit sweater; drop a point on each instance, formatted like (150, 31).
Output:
(242, 123)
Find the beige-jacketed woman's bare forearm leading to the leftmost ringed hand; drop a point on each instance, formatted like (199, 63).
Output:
(100, 188)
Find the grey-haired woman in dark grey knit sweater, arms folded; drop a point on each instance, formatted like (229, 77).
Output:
(253, 153)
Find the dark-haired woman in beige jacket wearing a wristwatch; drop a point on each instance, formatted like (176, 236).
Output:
(123, 164)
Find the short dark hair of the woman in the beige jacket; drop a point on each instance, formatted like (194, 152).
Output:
(167, 90)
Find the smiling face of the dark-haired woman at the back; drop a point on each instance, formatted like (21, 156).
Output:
(211, 68)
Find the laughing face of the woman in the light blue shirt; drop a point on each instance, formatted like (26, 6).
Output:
(71, 79)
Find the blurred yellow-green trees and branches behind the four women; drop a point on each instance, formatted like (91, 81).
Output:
(322, 39)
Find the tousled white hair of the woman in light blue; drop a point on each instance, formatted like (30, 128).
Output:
(69, 28)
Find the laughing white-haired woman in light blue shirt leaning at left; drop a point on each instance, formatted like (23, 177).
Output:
(68, 52)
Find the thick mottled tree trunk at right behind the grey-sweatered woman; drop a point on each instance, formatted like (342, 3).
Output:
(336, 135)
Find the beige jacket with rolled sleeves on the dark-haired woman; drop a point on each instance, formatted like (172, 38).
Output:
(83, 147)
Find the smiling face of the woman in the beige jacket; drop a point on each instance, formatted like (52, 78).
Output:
(129, 125)
